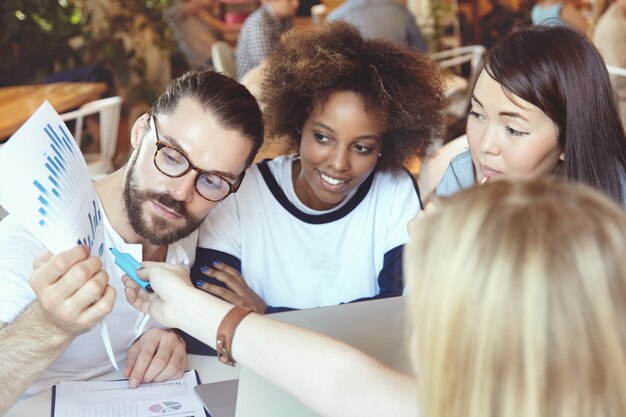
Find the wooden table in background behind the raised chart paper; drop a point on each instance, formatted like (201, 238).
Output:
(17, 103)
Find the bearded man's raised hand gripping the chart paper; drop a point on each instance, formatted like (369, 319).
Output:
(72, 289)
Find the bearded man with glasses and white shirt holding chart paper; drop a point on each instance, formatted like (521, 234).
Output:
(189, 152)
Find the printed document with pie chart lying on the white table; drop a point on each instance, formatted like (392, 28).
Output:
(117, 399)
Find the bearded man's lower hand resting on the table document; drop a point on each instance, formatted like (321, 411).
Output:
(158, 355)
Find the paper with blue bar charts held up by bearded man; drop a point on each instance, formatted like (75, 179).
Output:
(46, 184)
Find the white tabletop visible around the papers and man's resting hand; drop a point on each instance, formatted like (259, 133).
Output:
(209, 368)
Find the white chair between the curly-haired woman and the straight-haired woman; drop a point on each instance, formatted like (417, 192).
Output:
(458, 88)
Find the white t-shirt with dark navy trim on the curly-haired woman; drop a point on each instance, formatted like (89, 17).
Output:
(296, 257)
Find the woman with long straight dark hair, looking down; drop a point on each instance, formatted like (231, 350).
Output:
(543, 105)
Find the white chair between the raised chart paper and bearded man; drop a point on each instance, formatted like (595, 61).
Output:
(109, 110)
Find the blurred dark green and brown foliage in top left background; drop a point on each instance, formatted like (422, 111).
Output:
(36, 35)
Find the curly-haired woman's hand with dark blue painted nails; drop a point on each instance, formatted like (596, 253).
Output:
(237, 291)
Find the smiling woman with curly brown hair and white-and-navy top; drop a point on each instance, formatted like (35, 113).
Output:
(327, 224)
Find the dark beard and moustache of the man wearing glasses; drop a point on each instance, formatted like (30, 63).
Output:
(160, 231)
